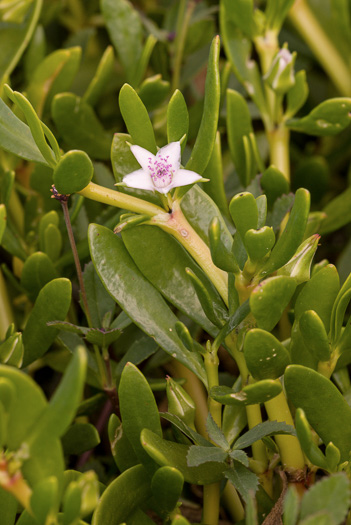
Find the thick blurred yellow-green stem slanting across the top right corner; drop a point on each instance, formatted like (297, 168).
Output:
(322, 46)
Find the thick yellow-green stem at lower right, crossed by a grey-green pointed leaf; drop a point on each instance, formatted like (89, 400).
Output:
(289, 446)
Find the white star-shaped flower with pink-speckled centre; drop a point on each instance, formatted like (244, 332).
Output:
(160, 172)
